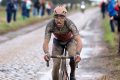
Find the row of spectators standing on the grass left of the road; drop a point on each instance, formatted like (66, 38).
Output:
(37, 7)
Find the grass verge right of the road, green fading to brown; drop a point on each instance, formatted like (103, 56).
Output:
(114, 58)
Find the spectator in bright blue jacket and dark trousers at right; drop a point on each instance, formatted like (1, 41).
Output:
(111, 13)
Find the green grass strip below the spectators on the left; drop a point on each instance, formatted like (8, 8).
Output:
(5, 27)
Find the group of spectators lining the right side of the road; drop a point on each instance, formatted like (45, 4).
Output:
(112, 7)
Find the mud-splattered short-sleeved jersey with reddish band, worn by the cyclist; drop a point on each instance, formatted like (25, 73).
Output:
(68, 31)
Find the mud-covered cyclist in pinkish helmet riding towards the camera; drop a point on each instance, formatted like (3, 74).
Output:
(66, 34)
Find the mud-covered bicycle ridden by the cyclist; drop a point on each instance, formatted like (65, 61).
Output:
(63, 74)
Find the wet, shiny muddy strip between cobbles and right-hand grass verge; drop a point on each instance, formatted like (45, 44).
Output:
(94, 63)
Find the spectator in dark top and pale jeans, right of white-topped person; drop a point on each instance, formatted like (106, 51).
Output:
(36, 7)
